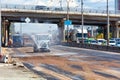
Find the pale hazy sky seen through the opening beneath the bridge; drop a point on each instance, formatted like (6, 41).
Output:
(35, 28)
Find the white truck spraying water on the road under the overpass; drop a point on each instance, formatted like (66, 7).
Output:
(41, 42)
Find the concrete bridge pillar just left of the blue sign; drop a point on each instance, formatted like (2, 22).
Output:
(61, 30)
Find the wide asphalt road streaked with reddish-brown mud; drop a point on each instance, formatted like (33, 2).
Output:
(69, 63)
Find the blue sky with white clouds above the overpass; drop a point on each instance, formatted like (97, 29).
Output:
(91, 4)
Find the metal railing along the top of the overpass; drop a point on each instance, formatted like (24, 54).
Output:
(63, 9)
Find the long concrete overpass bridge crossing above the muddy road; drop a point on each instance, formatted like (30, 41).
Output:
(51, 15)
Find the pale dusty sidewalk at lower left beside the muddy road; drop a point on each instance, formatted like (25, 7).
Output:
(16, 72)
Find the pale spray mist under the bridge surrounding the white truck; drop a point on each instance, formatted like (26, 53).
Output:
(28, 29)
